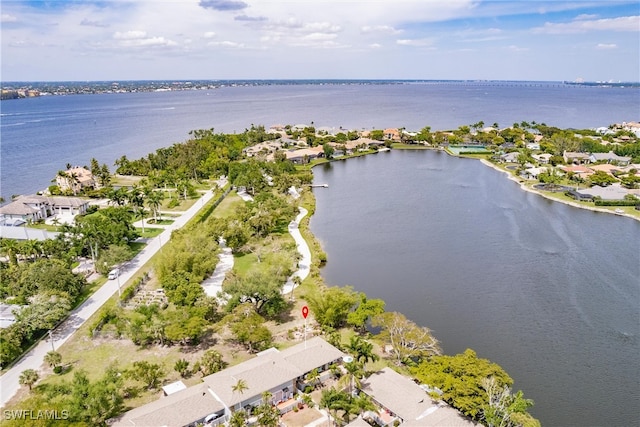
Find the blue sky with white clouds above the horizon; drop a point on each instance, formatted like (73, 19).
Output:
(313, 39)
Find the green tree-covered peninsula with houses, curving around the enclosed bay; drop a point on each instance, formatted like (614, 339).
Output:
(140, 247)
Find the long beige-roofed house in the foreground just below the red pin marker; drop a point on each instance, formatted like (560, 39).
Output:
(281, 373)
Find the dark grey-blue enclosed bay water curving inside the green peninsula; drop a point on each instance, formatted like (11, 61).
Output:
(550, 292)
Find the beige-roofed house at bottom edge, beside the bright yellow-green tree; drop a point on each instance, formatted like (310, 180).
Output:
(402, 400)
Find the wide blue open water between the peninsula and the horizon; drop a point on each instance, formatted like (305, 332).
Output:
(40, 136)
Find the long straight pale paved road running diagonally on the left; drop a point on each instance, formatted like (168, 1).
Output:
(34, 359)
